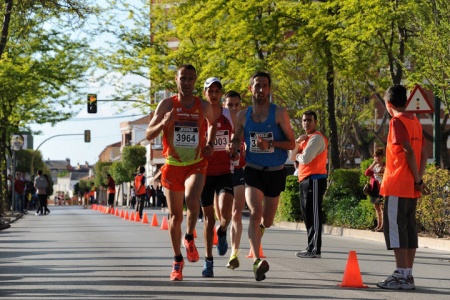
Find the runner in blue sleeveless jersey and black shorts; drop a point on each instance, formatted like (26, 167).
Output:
(268, 135)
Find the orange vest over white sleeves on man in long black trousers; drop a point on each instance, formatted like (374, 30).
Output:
(318, 165)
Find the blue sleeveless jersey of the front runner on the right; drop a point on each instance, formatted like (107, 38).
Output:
(270, 130)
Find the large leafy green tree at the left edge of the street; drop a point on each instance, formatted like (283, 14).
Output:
(41, 65)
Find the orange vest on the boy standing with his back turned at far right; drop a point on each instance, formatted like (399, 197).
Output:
(397, 179)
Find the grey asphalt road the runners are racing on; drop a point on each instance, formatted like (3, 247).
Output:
(77, 253)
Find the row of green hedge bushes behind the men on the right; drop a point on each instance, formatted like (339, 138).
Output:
(345, 205)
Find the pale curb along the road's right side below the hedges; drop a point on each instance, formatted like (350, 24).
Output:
(424, 242)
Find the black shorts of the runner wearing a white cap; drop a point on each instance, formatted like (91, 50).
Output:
(216, 185)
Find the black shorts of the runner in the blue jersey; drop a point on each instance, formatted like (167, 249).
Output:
(271, 183)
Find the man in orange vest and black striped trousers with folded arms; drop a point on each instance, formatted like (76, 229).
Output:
(311, 153)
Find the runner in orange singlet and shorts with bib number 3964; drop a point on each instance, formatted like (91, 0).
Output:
(181, 119)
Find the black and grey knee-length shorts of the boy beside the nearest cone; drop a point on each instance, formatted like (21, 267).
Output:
(399, 223)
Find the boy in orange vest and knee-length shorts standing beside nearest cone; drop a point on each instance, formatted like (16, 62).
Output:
(402, 184)
